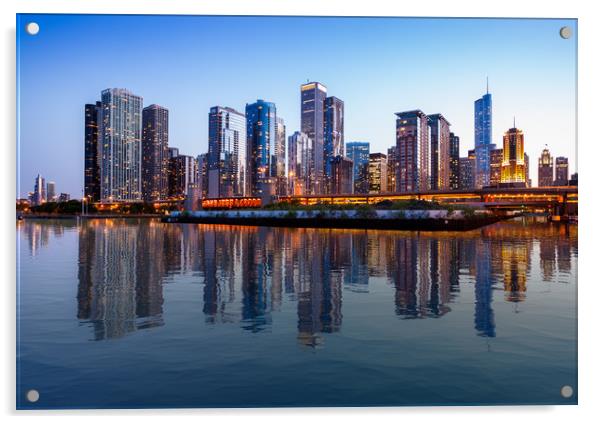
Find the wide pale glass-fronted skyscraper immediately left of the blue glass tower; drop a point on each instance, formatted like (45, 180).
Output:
(226, 158)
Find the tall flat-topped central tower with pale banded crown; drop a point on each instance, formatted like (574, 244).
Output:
(313, 95)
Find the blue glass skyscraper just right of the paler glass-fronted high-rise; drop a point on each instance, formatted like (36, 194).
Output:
(261, 137)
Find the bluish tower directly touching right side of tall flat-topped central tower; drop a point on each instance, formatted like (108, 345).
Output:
(334, 139)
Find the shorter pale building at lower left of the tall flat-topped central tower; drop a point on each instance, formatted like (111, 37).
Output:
(299, 152)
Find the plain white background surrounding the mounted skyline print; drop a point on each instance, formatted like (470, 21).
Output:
(590, 140)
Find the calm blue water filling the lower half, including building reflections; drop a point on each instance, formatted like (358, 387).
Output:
(140, 314)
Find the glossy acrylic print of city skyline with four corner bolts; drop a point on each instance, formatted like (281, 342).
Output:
(293, 211)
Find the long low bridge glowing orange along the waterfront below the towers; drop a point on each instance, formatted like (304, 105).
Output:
(561, 200)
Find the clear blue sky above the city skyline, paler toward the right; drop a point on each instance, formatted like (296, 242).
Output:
(377, 66)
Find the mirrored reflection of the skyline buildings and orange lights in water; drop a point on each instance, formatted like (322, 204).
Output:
(248, 272)
